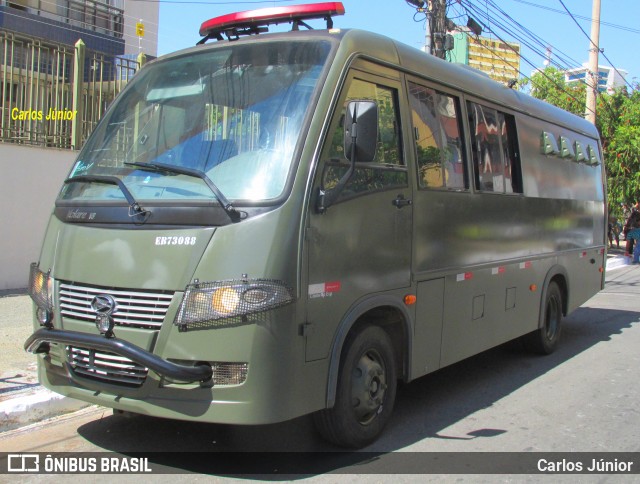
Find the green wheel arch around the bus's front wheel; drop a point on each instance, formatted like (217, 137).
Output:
(389, 313)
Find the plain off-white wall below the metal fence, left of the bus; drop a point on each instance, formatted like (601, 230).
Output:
(30, 179)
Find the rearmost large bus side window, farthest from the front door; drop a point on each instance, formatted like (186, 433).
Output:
(494, 147)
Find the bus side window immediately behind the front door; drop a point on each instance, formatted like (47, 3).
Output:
(436, 124)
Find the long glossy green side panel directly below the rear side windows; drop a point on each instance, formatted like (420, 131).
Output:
(457, 230)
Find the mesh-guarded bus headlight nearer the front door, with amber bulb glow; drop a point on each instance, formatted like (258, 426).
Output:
(227, 301)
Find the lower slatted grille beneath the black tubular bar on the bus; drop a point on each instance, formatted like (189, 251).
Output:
(106, 367)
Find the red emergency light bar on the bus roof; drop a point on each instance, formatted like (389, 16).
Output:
(257, 21)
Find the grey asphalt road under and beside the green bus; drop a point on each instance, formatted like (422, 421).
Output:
(582, 398)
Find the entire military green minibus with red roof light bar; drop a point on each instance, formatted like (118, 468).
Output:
(280, 224)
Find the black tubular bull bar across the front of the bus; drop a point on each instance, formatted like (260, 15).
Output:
(39, 341)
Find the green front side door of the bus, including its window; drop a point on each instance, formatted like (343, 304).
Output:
(361, 246)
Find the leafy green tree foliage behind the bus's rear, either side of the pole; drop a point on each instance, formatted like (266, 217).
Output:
(617, 120)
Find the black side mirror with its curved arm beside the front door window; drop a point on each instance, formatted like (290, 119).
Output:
(360, 135)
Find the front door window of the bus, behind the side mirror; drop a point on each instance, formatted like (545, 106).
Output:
(388, 169)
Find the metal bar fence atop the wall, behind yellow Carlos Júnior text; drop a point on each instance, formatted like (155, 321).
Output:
(54, 95)
